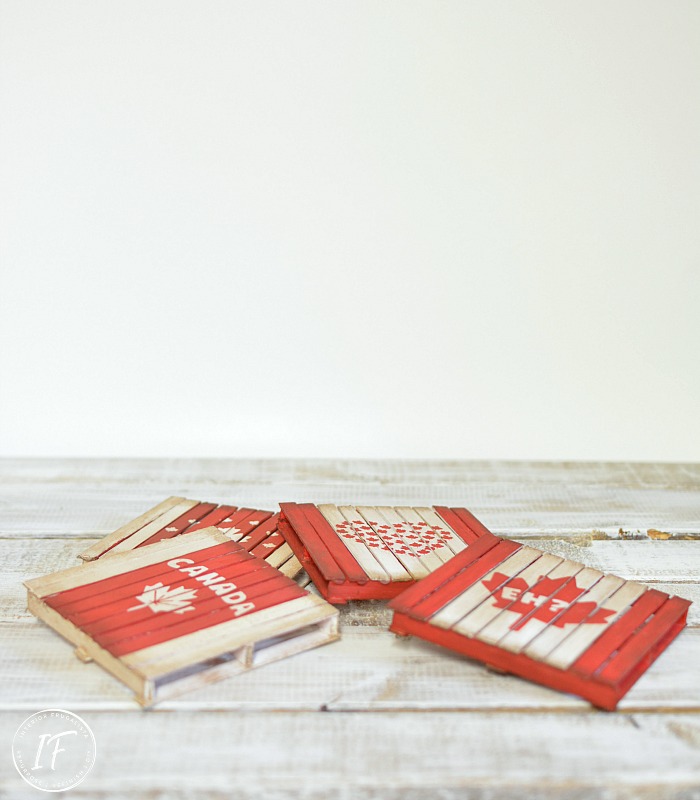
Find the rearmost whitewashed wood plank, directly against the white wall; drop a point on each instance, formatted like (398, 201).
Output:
(518, 499)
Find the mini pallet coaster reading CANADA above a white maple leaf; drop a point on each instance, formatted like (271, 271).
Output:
(181, 613)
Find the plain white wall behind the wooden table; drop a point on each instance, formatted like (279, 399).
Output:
(439, 229)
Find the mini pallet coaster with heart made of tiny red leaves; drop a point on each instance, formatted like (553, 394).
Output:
(363, 552)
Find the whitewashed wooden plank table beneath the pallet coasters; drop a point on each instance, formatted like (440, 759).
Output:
(371, 715)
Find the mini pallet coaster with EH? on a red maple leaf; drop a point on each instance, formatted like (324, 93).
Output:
(542, 617)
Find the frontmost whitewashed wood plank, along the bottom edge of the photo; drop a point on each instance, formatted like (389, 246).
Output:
(380, 756)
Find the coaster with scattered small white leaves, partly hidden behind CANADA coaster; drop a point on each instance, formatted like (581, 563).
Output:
(255, 530)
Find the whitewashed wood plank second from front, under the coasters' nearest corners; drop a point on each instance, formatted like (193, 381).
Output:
(368, 669)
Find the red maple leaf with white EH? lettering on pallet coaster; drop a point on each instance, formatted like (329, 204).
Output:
(545, 600)
